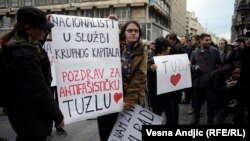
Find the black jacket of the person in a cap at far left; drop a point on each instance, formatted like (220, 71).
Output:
(30, 104)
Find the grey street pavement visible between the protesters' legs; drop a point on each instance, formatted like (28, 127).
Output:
(87, 130)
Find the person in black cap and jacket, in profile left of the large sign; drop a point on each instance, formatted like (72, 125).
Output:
(27, 77)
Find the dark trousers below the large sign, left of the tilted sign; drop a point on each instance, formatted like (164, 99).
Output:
(106, 124)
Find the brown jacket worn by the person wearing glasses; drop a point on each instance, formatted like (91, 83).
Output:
(134, 84)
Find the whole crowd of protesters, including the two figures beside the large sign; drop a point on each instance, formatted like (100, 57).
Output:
(220, 77)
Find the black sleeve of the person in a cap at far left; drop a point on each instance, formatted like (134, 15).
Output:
(31, 83)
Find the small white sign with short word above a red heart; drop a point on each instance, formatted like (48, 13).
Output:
(173, 73)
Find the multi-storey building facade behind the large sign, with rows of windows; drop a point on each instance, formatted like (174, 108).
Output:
(153, 15)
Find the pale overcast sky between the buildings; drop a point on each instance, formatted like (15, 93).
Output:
(215, 15)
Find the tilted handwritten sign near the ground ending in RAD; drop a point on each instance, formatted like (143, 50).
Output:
(129, 123)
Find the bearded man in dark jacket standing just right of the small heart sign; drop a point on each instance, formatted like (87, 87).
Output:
(204, 63)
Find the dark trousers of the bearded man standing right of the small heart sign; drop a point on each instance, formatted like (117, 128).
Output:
(200, 96)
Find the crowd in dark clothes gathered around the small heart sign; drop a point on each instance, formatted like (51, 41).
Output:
(219, 78)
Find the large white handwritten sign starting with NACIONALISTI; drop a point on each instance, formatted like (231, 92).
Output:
(88, 66)
